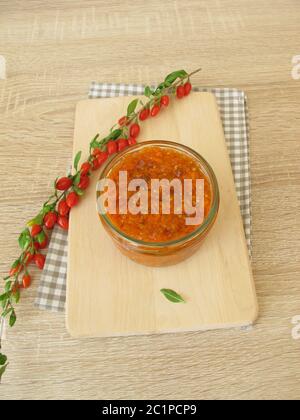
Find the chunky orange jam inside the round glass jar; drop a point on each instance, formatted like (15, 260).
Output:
(155, 162)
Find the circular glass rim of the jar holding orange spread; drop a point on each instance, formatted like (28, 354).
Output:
(204, 165)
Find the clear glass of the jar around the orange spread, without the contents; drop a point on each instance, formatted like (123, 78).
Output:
(170, 252)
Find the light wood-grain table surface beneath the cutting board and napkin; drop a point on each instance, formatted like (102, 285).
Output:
(53, 50)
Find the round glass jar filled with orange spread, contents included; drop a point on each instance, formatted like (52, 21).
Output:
(158, 200)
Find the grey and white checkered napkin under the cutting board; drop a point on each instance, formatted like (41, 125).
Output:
(233, 109)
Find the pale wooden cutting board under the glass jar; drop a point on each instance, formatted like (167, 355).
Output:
(110, 295)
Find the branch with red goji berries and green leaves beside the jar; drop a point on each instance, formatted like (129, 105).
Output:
(68, 189)
